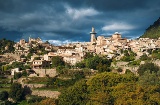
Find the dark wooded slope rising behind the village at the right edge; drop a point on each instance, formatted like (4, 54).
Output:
(153, 31)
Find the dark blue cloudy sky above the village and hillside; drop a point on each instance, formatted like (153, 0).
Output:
(64, 21)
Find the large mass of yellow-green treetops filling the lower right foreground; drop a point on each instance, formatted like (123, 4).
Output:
(111, 89)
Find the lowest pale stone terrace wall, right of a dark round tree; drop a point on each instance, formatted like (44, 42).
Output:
(46, 93)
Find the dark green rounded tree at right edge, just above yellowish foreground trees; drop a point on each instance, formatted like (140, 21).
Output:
(148, 66)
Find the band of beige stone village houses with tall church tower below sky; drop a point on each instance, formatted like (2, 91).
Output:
(75, 52)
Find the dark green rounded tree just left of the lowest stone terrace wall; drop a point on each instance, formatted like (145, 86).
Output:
(16, 92)
